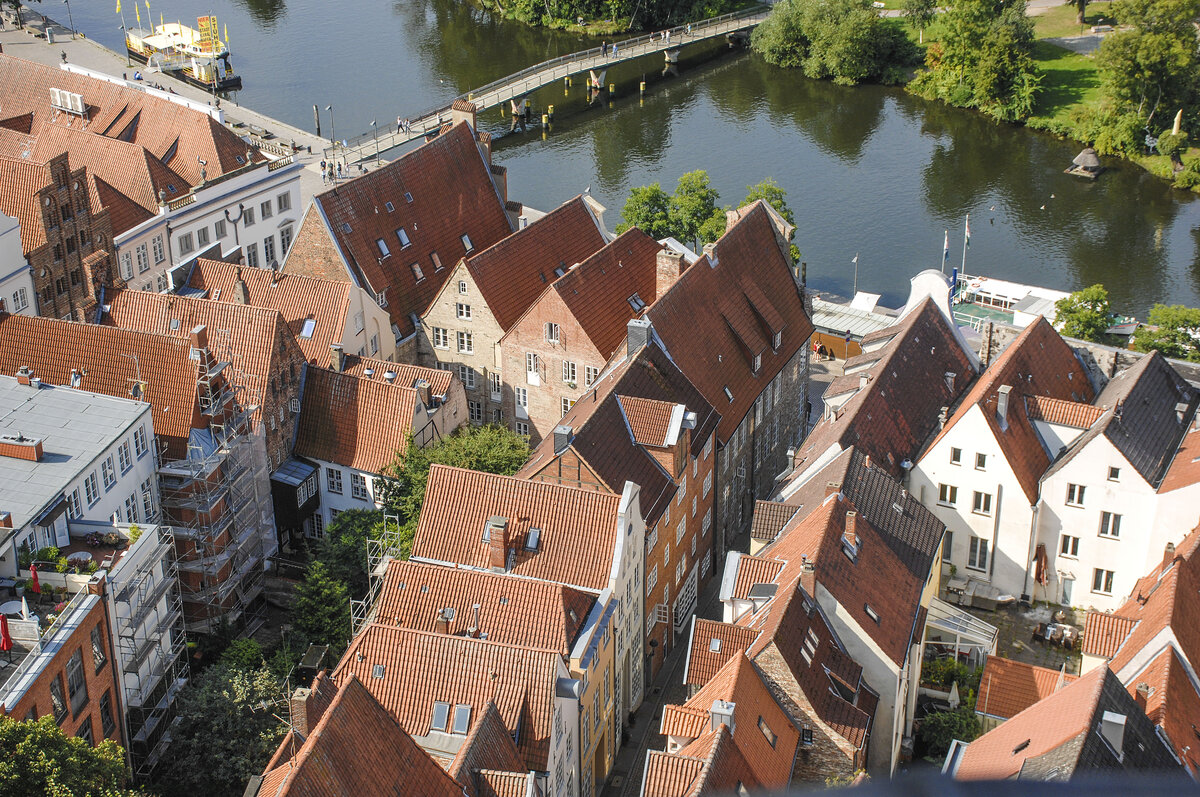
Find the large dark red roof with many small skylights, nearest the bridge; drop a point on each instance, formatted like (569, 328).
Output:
(453, 196)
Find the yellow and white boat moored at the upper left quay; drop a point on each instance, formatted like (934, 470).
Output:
(196, 57)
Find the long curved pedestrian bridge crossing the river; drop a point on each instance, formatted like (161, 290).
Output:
(523, 83)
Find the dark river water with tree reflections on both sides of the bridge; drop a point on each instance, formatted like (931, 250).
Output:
(869, 170)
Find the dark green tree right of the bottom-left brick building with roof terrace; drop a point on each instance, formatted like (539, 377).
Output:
(225, 735)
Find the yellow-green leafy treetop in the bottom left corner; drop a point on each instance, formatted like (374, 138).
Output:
(38, 759)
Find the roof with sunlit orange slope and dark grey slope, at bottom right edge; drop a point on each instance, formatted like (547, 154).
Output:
(1060, 736)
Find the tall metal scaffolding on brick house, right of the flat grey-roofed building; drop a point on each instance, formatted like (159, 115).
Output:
(218, 499)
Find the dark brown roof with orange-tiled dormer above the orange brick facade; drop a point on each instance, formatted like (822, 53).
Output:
(604, 433)
